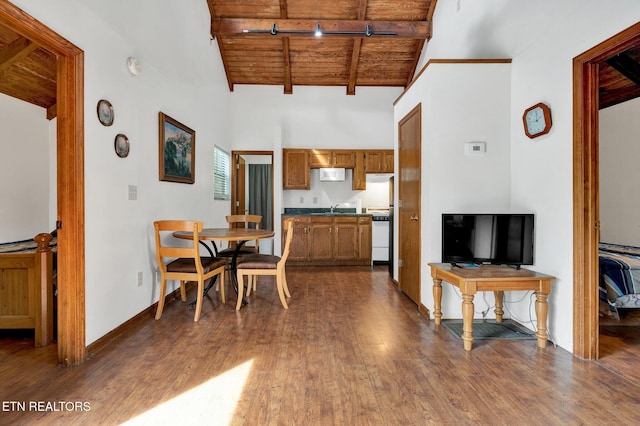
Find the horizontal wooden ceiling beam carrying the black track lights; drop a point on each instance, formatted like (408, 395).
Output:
(238, 26)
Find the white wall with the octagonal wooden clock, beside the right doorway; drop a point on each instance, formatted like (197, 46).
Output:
(542, 38)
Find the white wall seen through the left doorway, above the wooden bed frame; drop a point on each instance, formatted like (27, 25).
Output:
(24, 170)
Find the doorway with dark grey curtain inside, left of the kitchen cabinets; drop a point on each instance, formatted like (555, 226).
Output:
(252, 188)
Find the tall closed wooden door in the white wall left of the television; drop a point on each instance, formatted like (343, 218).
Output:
(408, 210)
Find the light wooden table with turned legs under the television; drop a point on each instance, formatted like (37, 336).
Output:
(490, 278)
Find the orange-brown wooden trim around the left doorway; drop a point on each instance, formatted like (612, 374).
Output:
(70, 169)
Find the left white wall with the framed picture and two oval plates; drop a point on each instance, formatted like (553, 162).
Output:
(182, 76)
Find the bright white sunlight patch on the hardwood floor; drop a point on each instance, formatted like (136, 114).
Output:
(211, 403)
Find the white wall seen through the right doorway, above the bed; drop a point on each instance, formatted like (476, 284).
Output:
(620, 174)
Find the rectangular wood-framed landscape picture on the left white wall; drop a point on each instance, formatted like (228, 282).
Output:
(177, 151)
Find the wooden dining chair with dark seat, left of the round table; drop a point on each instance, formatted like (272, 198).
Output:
(185, 263)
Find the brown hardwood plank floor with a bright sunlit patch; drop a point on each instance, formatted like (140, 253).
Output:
(351, 349)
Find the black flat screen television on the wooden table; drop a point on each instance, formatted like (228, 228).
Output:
(500, 239)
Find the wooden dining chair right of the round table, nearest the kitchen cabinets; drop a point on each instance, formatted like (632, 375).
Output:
(266, 264)
